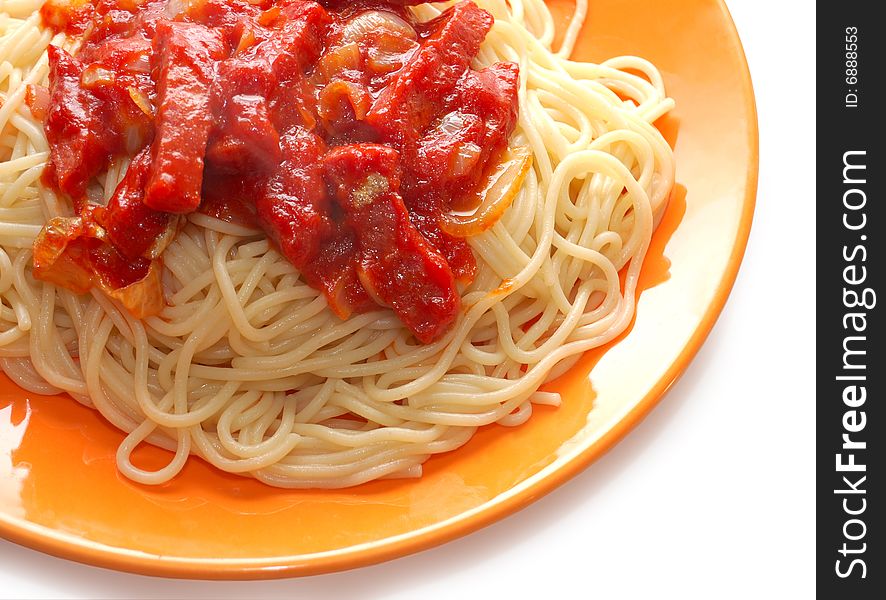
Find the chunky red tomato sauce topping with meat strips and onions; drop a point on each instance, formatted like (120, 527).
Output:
(344, 129)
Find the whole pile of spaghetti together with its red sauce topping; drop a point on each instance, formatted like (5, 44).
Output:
(320, 288)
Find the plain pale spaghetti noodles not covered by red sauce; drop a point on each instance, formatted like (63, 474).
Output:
(247, 366)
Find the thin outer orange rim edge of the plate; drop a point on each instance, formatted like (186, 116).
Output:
(71, 547)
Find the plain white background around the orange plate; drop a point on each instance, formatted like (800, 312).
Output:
(710, 497)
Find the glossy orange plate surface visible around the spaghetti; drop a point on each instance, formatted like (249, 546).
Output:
(60, 492)
